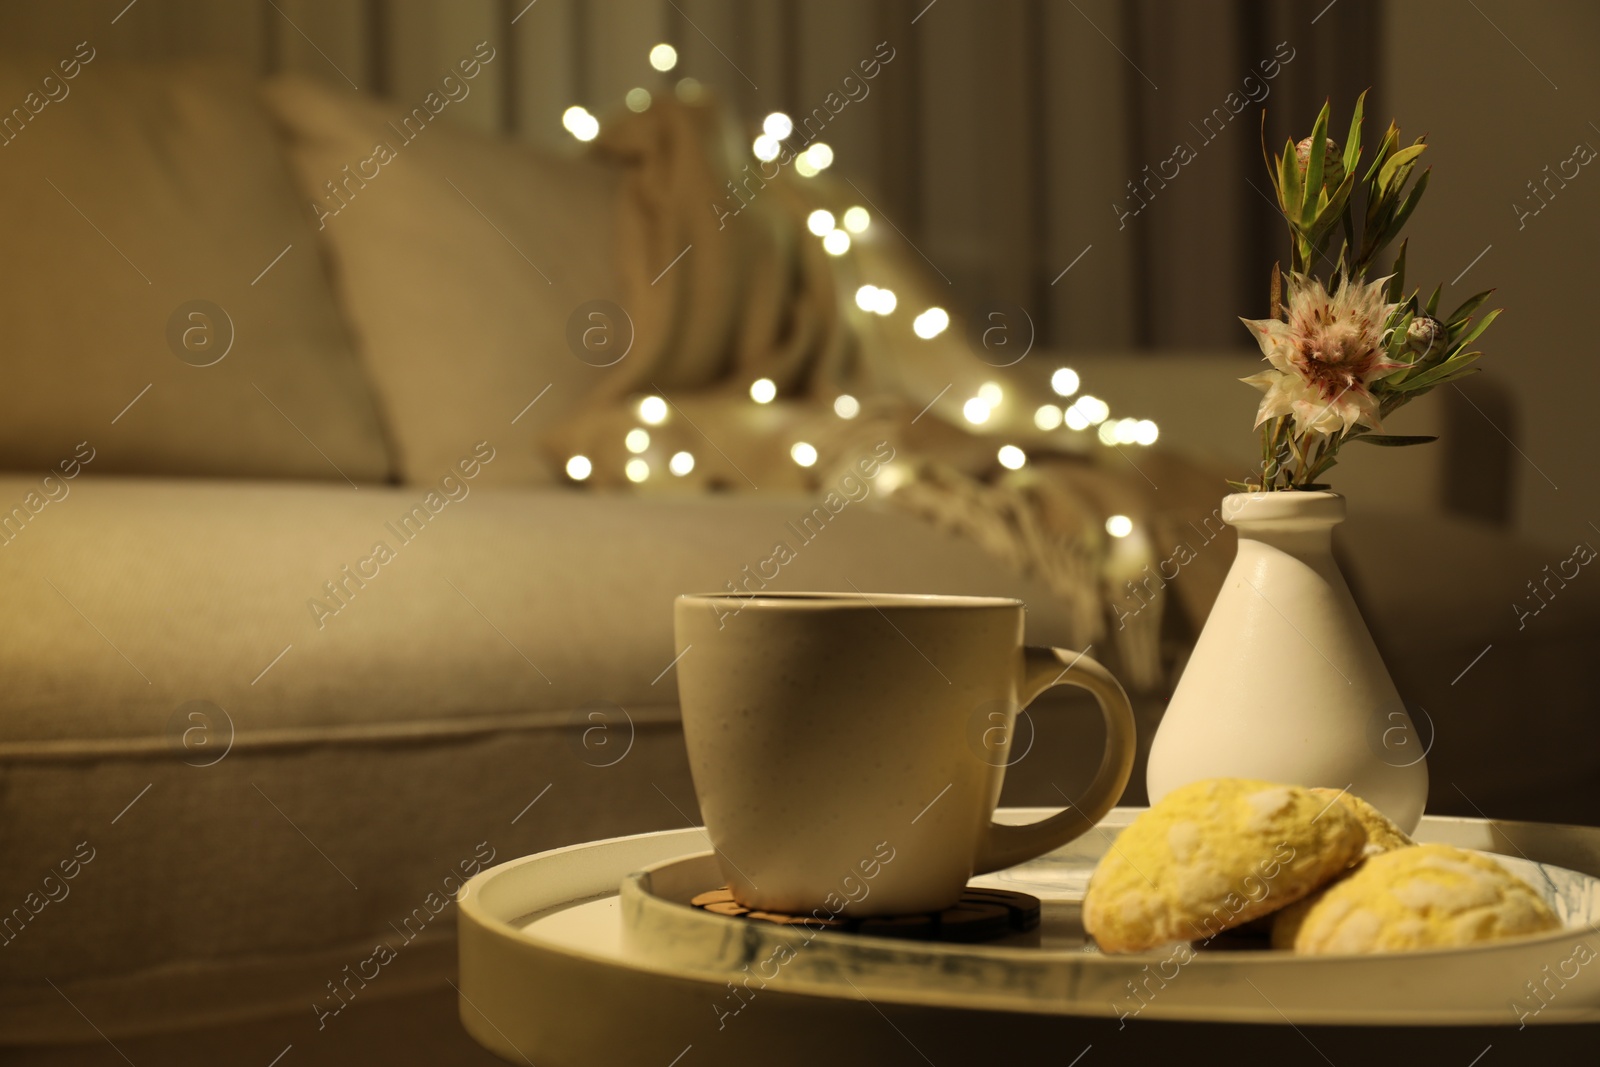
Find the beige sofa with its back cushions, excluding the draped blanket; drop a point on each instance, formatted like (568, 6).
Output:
(266, 789)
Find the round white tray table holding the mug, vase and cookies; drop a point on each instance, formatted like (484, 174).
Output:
(558, 967)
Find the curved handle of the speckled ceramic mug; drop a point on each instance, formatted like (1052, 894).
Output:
(1042, 669)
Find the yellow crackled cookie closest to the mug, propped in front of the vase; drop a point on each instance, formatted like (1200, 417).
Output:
(1215, 855)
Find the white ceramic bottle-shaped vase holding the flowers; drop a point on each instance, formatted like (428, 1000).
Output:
(1286, 682)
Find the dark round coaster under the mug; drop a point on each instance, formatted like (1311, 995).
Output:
(978, 916)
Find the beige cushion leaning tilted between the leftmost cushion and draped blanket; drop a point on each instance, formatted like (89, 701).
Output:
(460, 263)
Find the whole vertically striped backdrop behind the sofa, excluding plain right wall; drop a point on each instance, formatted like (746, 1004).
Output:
(998, 140)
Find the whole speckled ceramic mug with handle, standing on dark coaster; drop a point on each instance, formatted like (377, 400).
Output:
(849, 749)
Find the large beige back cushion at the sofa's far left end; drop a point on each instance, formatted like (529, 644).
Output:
(134, 194)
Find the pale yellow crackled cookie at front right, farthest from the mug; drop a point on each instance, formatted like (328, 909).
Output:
(1428, 897)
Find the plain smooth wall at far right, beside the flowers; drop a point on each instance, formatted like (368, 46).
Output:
(1500, 103)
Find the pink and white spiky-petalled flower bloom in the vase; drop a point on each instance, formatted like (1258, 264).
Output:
(1326, 358)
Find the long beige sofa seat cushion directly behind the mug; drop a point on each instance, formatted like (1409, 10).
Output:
(505, 602)
